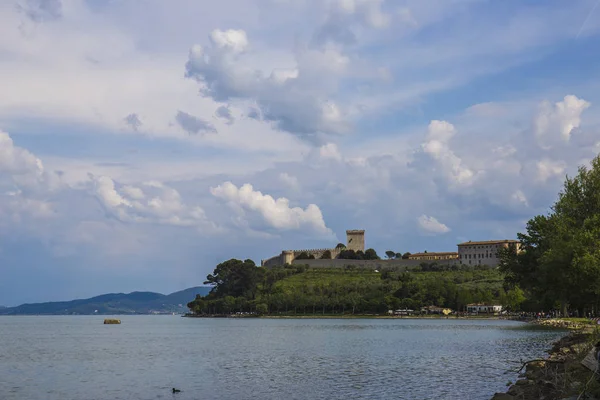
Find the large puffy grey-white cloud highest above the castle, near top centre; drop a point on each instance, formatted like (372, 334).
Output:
(298, 99)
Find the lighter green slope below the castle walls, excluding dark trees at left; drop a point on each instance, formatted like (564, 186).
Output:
(334, 290)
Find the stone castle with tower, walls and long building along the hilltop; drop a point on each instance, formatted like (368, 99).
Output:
(469, 253)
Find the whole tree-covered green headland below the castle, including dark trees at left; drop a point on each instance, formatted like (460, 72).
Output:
(302, 290)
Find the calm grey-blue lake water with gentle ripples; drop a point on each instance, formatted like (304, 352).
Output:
(77, 357)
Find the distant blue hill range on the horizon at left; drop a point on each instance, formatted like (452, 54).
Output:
(114, 303)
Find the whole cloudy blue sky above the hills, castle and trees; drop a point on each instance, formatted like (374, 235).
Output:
(144, 142)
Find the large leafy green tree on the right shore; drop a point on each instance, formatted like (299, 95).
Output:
(559, 266)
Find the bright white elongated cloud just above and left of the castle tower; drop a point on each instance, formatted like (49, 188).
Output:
(276, 213)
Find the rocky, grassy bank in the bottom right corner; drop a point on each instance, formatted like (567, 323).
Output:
(562, 375)
